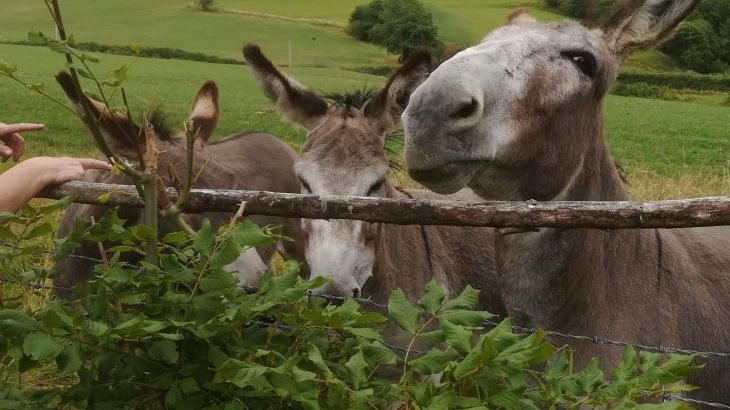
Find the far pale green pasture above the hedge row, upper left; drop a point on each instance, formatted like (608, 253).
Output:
(168, 23)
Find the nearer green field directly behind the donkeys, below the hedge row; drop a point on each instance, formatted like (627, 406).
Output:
(654, 140)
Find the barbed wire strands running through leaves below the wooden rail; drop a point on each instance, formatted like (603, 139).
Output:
(486, 323)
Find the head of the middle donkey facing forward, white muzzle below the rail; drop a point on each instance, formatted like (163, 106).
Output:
(344, 155)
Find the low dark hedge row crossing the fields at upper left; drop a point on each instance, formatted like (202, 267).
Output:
(150, 52)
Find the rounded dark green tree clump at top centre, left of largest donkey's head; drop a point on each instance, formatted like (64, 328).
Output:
(399, 25)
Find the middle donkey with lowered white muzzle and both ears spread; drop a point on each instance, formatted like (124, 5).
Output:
(345, 155)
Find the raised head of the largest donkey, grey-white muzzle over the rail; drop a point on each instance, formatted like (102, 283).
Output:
(519, 115)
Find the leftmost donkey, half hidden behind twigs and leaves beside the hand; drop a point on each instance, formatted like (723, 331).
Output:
(251, 161)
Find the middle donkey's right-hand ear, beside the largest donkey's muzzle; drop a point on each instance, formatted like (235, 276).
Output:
(390, 102)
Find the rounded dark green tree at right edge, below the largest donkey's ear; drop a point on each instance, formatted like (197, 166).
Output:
(696, 46)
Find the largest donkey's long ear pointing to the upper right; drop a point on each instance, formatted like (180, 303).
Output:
(645, 23)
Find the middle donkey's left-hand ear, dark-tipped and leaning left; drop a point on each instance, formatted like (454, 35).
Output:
(294, 101)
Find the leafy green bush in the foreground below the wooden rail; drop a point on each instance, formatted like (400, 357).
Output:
(183, 335)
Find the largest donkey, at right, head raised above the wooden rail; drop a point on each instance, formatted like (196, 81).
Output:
(519, 117)
